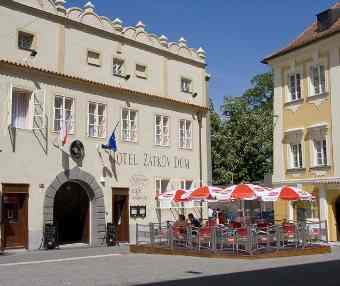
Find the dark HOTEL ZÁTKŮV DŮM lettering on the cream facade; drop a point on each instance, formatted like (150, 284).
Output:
(151, 160)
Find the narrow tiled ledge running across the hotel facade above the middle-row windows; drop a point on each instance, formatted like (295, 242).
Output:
(81, 80)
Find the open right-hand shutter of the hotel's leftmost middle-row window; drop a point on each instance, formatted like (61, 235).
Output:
(39, 120)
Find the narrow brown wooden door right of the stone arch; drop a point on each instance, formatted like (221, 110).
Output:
(120, 213)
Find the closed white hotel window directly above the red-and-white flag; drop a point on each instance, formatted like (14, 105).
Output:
(64, 112)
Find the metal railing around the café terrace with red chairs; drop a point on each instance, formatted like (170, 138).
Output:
(247, 239)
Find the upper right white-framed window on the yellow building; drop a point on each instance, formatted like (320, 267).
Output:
(321, 84)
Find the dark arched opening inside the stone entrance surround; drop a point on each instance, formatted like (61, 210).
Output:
(71, 213)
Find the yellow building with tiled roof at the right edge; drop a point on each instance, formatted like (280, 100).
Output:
(307, 120)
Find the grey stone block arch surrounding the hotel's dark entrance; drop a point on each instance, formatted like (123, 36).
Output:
(86, 184)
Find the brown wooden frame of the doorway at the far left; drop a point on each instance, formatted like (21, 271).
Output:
(15, 189)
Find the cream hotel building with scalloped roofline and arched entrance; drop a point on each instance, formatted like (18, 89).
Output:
(71, 65)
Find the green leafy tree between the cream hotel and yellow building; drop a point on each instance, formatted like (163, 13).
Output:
(242, 139)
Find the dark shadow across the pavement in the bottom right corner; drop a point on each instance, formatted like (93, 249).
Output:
(325, 274)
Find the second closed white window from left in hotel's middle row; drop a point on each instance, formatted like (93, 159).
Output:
(97, 120)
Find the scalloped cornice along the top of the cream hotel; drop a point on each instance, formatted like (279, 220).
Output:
(171, 50)
